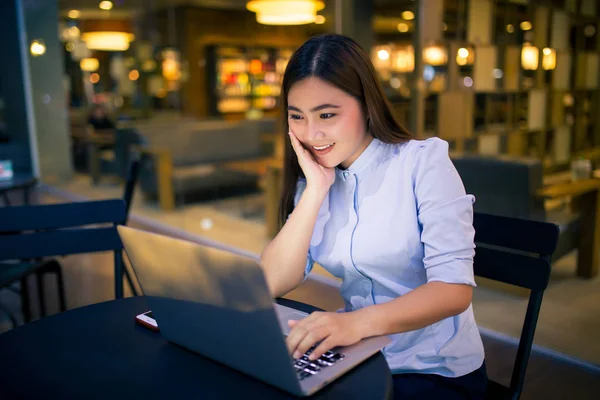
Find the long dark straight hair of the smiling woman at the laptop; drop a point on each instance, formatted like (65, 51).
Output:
(341, 62)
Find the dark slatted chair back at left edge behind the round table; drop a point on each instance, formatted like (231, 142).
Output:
(39, 231)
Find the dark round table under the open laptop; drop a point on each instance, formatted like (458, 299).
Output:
(99, 351)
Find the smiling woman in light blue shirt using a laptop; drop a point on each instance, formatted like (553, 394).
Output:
(384, 212)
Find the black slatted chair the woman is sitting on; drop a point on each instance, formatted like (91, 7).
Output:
(517, 252)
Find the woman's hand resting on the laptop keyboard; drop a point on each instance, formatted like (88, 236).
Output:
(331, 329)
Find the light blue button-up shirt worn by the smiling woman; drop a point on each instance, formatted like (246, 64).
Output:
(395, 220)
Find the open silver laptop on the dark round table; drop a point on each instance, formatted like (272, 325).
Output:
(217, 304)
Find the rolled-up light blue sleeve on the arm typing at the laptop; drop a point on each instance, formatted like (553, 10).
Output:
(445, 213)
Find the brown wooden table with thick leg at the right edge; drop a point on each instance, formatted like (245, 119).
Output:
(586, 201)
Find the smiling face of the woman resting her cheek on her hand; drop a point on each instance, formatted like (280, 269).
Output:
(328, 121)
